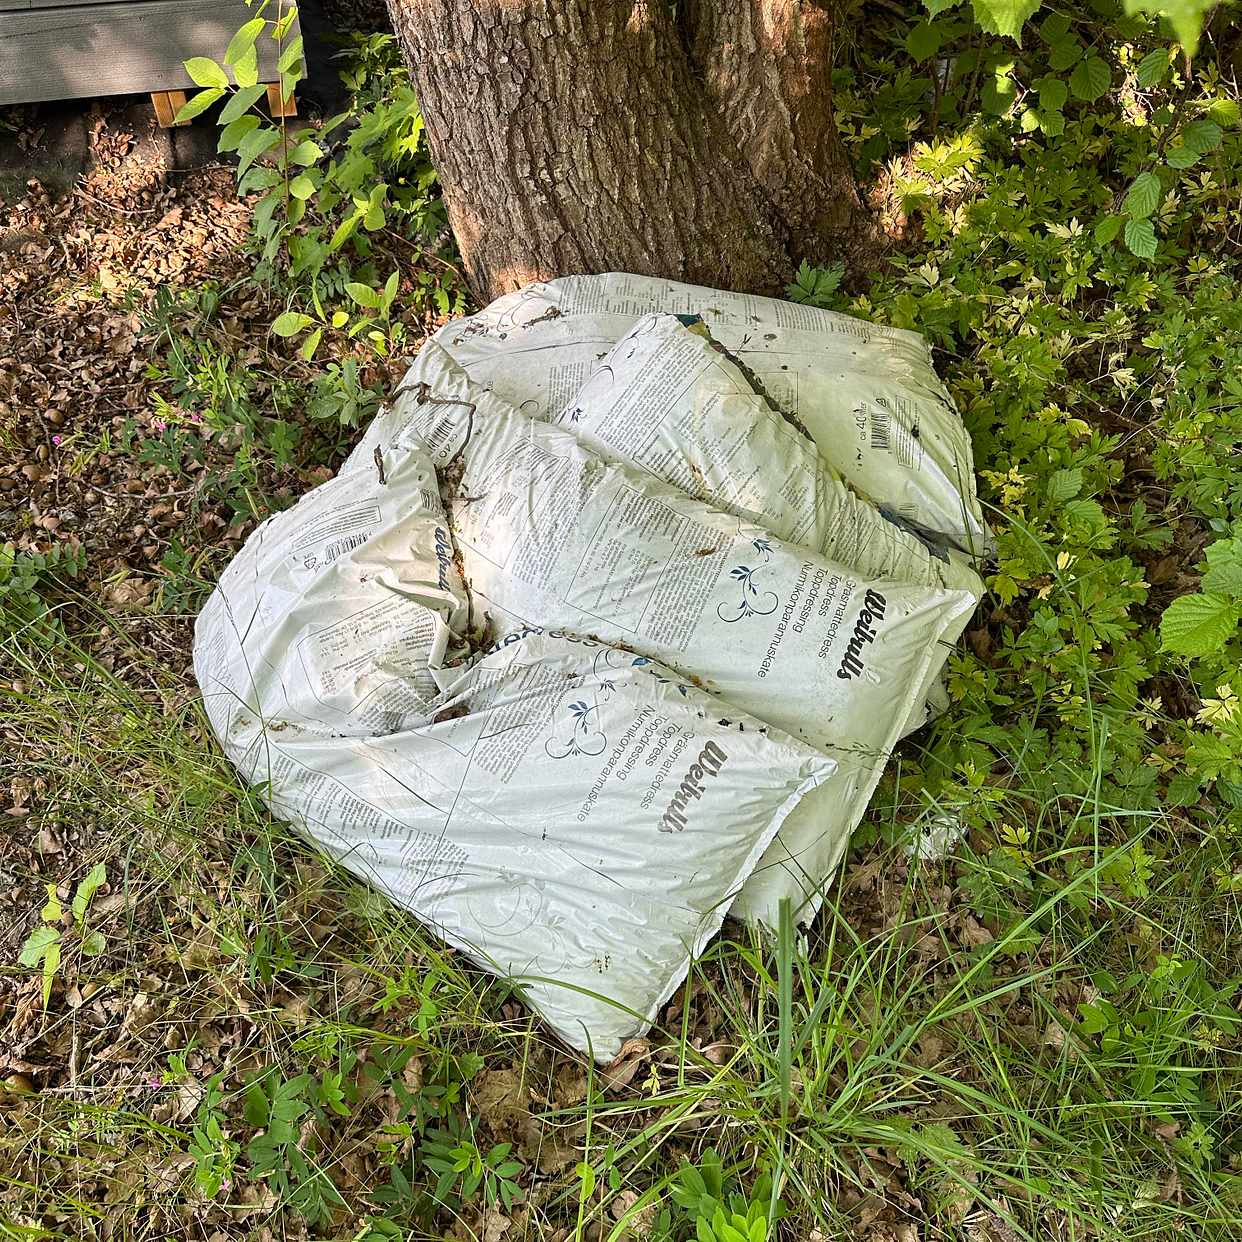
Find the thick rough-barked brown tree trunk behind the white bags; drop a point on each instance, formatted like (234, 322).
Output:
(589, 136)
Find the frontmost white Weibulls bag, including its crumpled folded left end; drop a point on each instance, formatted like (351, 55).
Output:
(572, 815)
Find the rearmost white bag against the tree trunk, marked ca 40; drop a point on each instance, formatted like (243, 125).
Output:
(868, 394)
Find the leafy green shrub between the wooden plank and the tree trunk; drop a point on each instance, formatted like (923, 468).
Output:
(326, 194)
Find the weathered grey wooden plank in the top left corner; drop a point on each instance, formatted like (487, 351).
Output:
(117, 48)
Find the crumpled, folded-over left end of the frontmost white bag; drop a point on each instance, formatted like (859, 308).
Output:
(342, 607)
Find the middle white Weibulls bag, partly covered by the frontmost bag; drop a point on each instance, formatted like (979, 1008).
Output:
(551, 533)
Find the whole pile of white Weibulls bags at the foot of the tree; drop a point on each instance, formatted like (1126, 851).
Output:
(609, 694)
